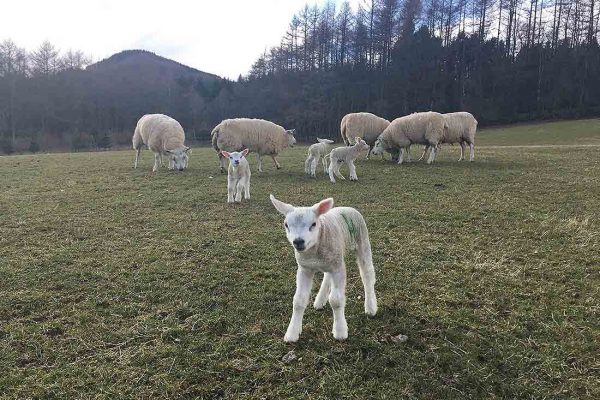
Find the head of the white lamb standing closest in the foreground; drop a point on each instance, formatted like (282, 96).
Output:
(302, 225)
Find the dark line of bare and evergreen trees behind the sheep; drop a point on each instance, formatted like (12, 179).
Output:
(503, 60)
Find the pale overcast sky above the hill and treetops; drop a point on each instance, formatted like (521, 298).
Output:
(223, 37)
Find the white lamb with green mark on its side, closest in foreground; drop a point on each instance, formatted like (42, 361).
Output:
(321, 235)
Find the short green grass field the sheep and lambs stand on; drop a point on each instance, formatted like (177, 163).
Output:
(116, 283)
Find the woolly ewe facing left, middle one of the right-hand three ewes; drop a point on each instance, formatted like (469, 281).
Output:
(419, 128)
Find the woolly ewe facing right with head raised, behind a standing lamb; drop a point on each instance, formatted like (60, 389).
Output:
(257, 135)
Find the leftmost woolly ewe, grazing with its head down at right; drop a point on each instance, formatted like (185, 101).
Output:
(163, 135)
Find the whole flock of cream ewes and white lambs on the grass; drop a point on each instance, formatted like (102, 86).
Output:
(320, 234)
